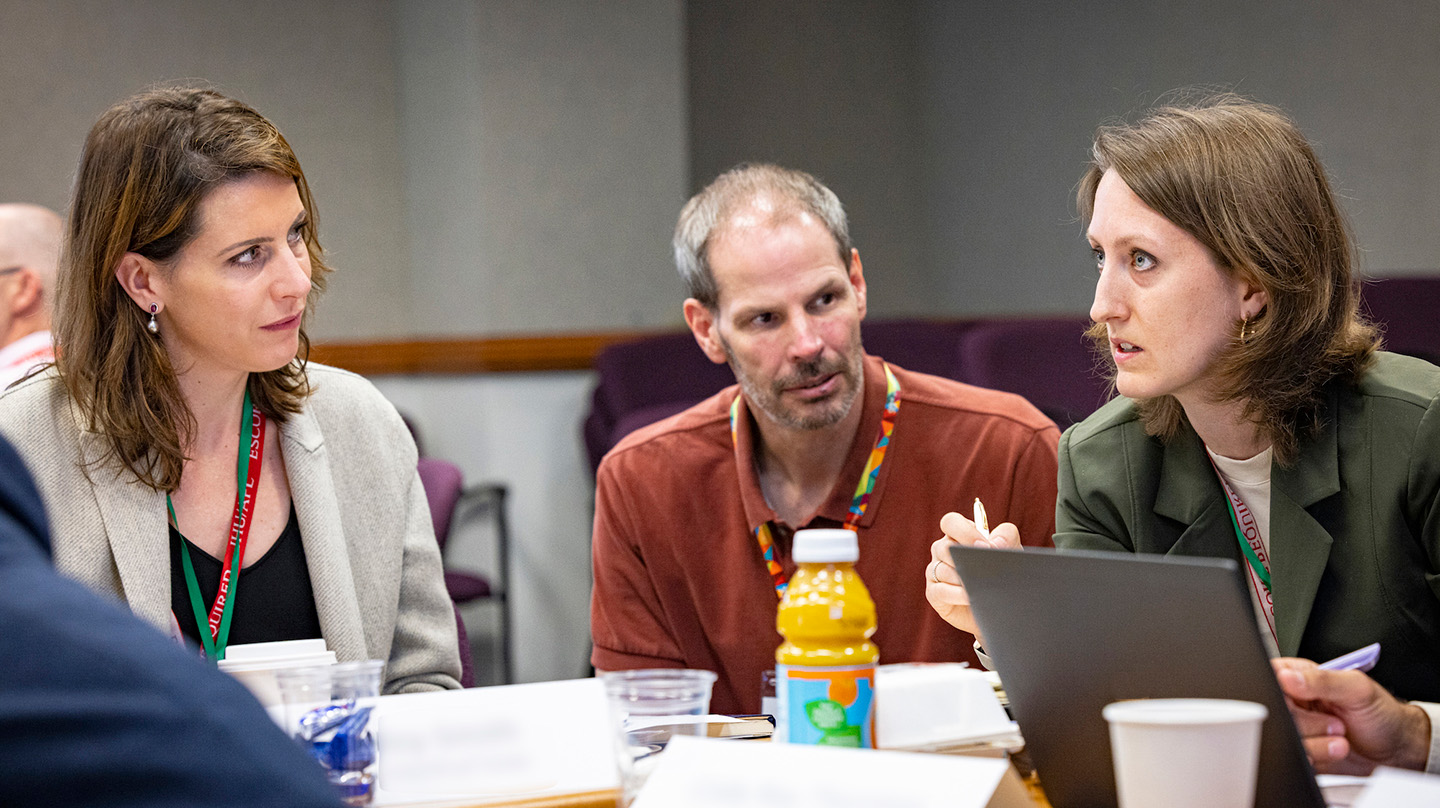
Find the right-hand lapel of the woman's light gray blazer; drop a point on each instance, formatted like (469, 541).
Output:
(313, 490)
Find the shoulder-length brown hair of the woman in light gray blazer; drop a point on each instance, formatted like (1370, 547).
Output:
(148, 166)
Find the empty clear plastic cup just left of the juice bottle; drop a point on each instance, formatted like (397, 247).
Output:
(640, 704)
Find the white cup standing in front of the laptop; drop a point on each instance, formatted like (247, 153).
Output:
(1186, 753)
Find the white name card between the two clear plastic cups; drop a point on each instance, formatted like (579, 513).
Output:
(496, 744)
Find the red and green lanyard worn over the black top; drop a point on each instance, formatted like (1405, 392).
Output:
(217, 633)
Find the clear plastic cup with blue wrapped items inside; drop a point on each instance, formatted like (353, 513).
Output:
(329, 712)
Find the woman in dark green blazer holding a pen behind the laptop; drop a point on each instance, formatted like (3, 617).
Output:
(1256, 418)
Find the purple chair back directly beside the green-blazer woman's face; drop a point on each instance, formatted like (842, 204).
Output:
(1046, 361)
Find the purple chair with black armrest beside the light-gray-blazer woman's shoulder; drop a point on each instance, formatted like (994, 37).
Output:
(446, 493)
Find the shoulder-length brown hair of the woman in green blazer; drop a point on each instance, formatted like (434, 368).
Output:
(1241, 178)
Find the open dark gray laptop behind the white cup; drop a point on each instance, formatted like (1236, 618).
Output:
(1071, 633)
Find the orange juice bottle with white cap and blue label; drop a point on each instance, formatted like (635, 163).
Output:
(826, 669)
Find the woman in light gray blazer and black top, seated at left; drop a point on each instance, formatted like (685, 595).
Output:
(194, 464)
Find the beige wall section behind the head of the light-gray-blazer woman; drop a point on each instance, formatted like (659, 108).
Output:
(323, 71)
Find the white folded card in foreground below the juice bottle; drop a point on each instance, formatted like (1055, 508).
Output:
(702, 773)
